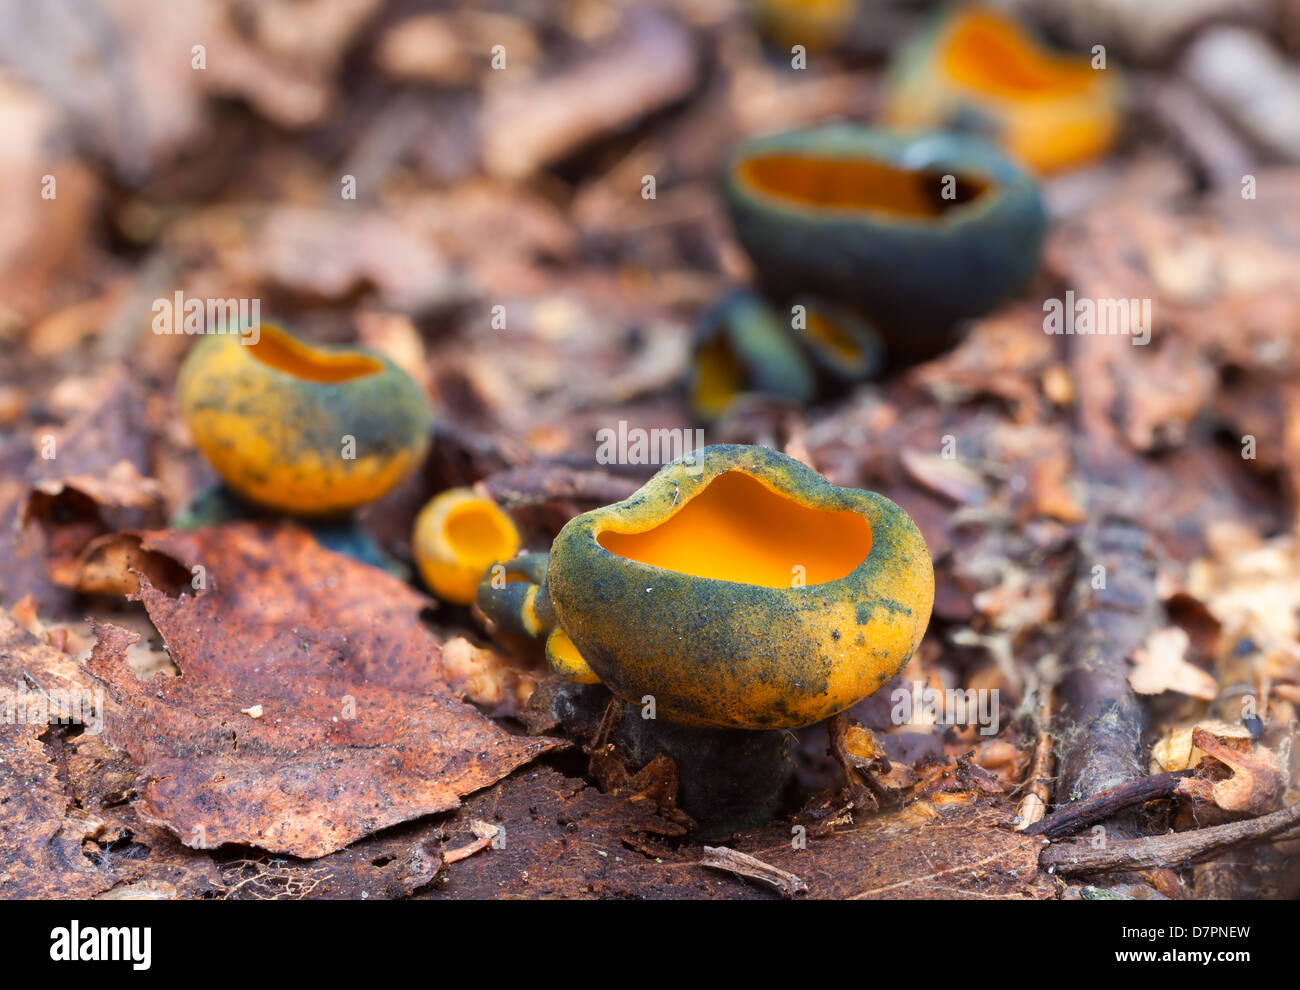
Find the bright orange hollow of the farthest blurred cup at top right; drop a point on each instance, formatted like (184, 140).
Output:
(993, 54)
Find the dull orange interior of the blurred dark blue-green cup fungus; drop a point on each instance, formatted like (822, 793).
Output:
(859, 185)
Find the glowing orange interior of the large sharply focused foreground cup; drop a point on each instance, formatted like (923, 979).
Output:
(739, 529)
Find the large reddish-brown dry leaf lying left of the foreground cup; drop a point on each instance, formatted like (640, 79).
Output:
(361, 730)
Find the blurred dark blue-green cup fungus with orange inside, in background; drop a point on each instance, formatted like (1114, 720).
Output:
(917, 231)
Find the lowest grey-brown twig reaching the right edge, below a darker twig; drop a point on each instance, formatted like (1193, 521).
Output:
(1176, 850)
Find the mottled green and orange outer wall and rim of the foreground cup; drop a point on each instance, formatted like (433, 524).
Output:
(731, 654)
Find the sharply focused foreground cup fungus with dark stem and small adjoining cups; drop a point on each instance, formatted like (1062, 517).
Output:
(738, 594)
